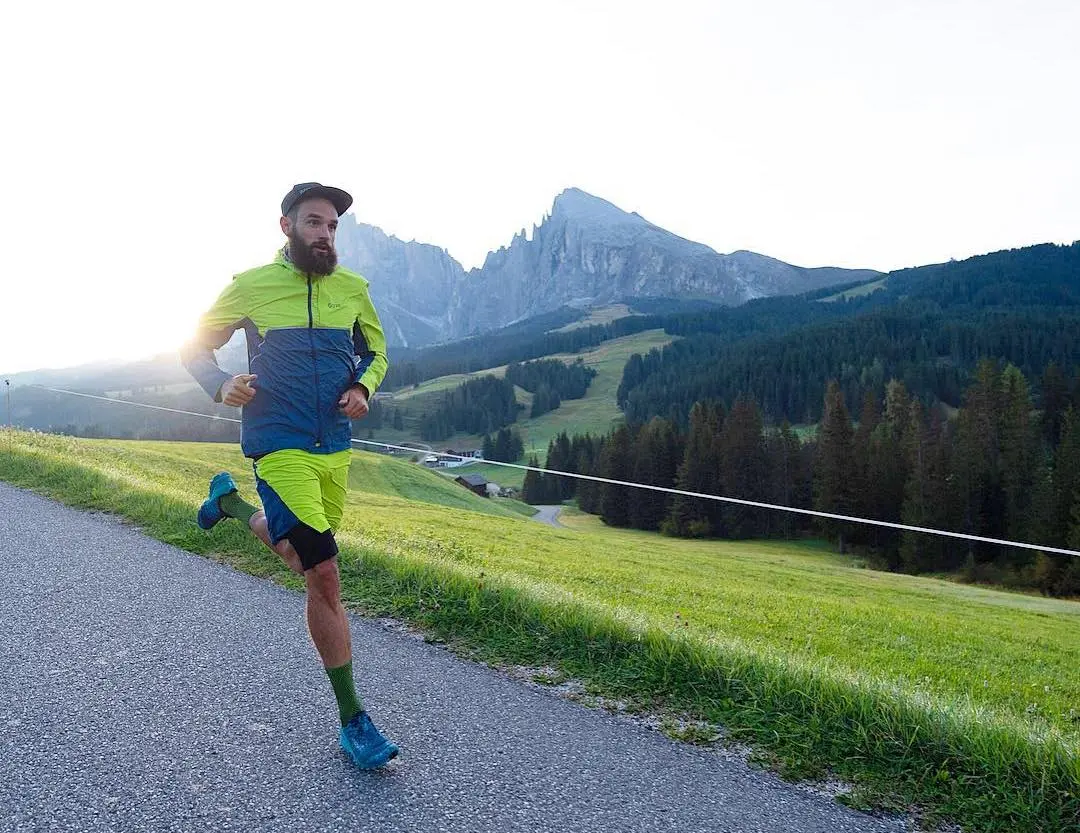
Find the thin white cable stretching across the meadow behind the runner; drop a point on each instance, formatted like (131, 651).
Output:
(666, 490)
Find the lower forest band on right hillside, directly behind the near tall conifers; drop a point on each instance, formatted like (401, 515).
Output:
(933, 354)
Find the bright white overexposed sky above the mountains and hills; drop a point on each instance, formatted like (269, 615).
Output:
(150, 145)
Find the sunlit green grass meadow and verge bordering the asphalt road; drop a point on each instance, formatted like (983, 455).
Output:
(958, 700)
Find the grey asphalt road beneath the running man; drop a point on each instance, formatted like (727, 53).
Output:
(146, 689)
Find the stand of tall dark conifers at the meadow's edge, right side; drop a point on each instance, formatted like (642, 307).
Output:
(996, 467)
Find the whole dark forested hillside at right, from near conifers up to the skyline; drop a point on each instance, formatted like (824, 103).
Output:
(928, 328)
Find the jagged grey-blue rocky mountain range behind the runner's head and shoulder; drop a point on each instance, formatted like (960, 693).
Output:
(586, 253)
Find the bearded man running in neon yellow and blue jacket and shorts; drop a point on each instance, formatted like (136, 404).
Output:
(316, 355)
